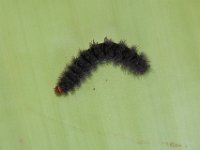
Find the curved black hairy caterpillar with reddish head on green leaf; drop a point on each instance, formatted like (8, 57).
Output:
(81, 66)
